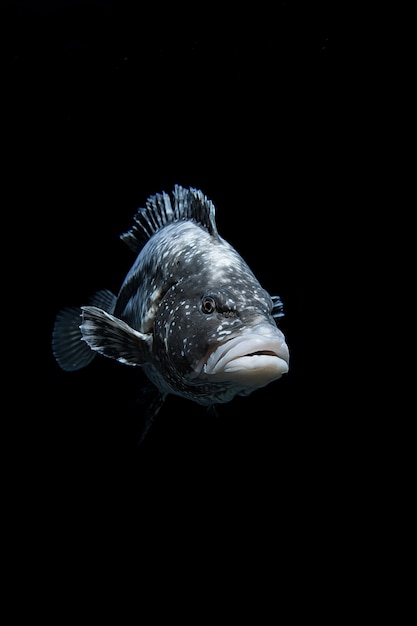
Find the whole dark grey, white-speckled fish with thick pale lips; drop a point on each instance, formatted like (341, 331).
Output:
(190, 312)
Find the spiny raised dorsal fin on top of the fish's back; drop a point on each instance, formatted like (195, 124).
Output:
(162, 209)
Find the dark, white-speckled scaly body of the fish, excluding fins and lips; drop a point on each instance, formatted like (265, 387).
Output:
(177, 267)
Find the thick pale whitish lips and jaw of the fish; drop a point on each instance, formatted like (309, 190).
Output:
(253, 359)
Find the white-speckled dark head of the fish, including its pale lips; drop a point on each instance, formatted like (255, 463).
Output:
(221, 336)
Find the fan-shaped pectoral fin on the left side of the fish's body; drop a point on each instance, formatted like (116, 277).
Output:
(113, 338)
